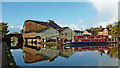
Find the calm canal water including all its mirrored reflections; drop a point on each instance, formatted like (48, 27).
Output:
(40, 55)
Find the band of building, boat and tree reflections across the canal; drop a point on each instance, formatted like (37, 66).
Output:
(34, 53)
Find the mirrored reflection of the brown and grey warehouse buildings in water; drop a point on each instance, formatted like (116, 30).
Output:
(32, 55)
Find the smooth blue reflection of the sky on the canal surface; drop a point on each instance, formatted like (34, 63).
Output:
(84, 58)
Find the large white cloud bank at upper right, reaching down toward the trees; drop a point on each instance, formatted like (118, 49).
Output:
(107, 11)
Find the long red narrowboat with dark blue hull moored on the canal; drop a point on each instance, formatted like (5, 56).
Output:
(89, 39)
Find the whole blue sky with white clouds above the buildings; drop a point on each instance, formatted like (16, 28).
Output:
(75, 15)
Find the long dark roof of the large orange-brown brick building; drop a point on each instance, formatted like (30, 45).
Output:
(50, 23)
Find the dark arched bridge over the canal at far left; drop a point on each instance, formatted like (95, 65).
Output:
(18, 36)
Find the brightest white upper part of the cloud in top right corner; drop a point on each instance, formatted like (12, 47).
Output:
(105, 6)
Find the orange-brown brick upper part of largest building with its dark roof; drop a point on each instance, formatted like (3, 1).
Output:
(32, 25)
